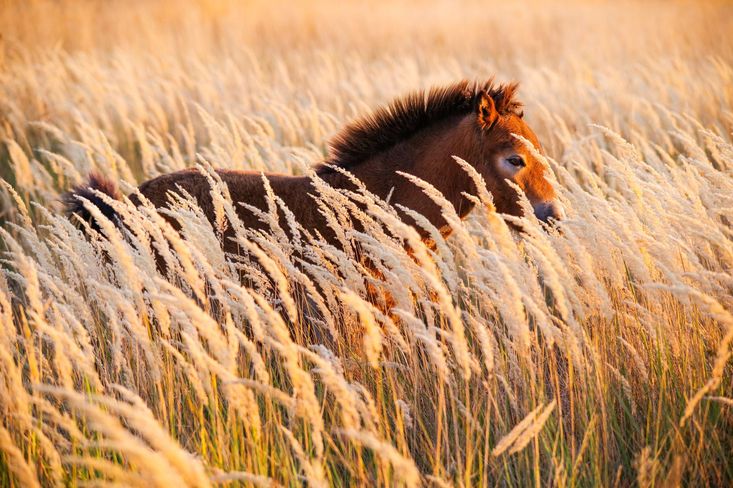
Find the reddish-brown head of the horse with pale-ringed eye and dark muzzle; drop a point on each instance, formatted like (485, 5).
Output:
(496, 121)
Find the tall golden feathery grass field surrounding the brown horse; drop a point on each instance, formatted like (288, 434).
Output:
(599, 356)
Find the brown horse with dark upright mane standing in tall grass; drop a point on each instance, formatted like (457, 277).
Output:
(416, 134)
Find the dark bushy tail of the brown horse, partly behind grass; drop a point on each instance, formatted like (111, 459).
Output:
(74, 200)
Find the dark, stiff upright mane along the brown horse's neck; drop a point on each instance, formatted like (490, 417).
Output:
(405, 116)
